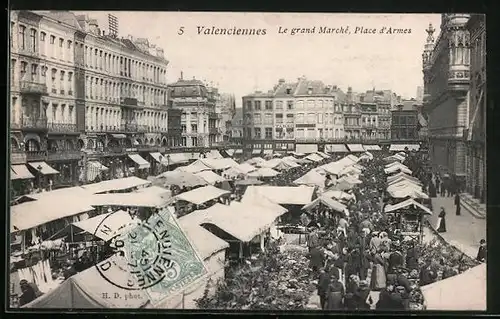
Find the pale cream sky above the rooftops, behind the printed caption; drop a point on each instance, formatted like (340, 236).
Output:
(242, 64)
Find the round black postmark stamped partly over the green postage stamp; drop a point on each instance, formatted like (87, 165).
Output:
(142, 251)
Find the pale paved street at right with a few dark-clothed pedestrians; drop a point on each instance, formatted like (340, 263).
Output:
(464, 231)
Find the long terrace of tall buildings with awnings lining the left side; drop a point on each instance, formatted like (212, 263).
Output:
(74, 88)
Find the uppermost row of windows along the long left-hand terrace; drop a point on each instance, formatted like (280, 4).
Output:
(94, 58)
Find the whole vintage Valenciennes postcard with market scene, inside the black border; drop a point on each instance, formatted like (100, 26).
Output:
(247, 161)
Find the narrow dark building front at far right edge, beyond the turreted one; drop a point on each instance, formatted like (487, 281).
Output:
(475, 156)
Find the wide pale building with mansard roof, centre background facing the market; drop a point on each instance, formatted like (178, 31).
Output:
(303, 111)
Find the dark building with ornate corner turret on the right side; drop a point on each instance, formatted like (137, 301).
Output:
(446, 93)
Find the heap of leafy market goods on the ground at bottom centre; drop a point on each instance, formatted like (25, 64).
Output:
(272, 281)
